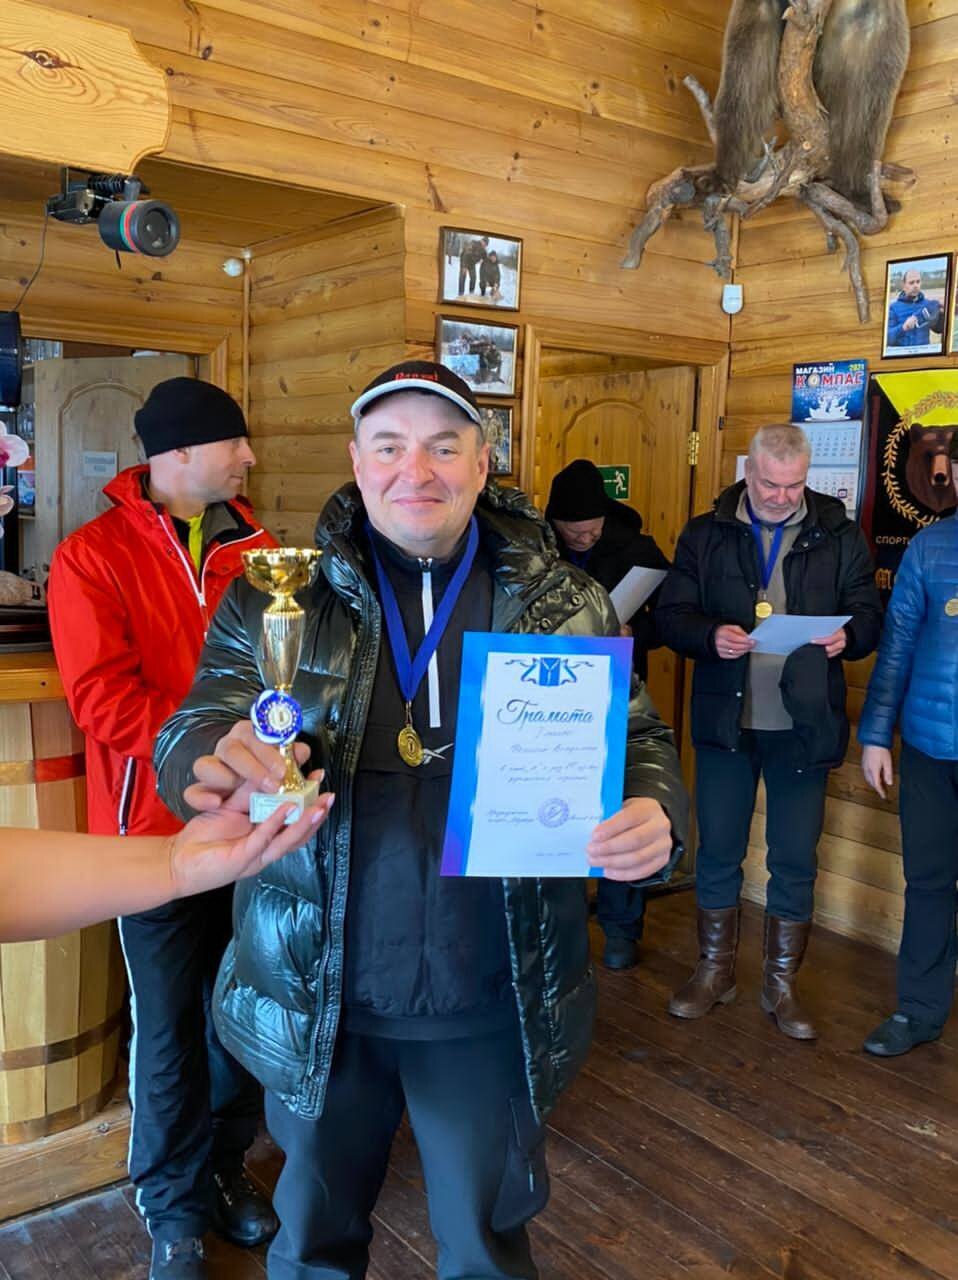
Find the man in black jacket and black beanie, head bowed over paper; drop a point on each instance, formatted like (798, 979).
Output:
(605, 538)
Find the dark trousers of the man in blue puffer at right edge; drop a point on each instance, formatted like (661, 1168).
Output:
(927, 958)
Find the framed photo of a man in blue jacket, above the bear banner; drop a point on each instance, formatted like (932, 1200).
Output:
(916, 307)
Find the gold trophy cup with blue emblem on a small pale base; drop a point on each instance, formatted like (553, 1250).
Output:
(276, 715)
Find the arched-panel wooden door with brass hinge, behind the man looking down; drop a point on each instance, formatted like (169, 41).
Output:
(642, 420)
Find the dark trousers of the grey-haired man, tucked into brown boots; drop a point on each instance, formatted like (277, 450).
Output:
(726, 799)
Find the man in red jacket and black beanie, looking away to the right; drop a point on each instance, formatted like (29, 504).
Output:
(131, 596)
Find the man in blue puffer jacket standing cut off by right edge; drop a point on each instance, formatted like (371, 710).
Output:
(916, 675)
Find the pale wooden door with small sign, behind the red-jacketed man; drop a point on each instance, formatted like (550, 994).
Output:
(84, 423)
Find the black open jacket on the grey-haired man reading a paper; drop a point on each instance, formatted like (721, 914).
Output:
(714, 580)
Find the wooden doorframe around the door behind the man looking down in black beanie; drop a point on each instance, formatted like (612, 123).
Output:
(710, 359)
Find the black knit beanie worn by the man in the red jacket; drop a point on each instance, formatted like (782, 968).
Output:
(185, 412)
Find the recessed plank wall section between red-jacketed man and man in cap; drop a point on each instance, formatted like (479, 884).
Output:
(327, 314)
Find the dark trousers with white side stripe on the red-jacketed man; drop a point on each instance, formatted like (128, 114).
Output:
(195, 1109)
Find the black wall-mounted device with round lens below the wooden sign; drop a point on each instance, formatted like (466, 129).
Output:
(126, 222)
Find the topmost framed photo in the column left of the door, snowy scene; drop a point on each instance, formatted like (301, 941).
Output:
(480, 269)
